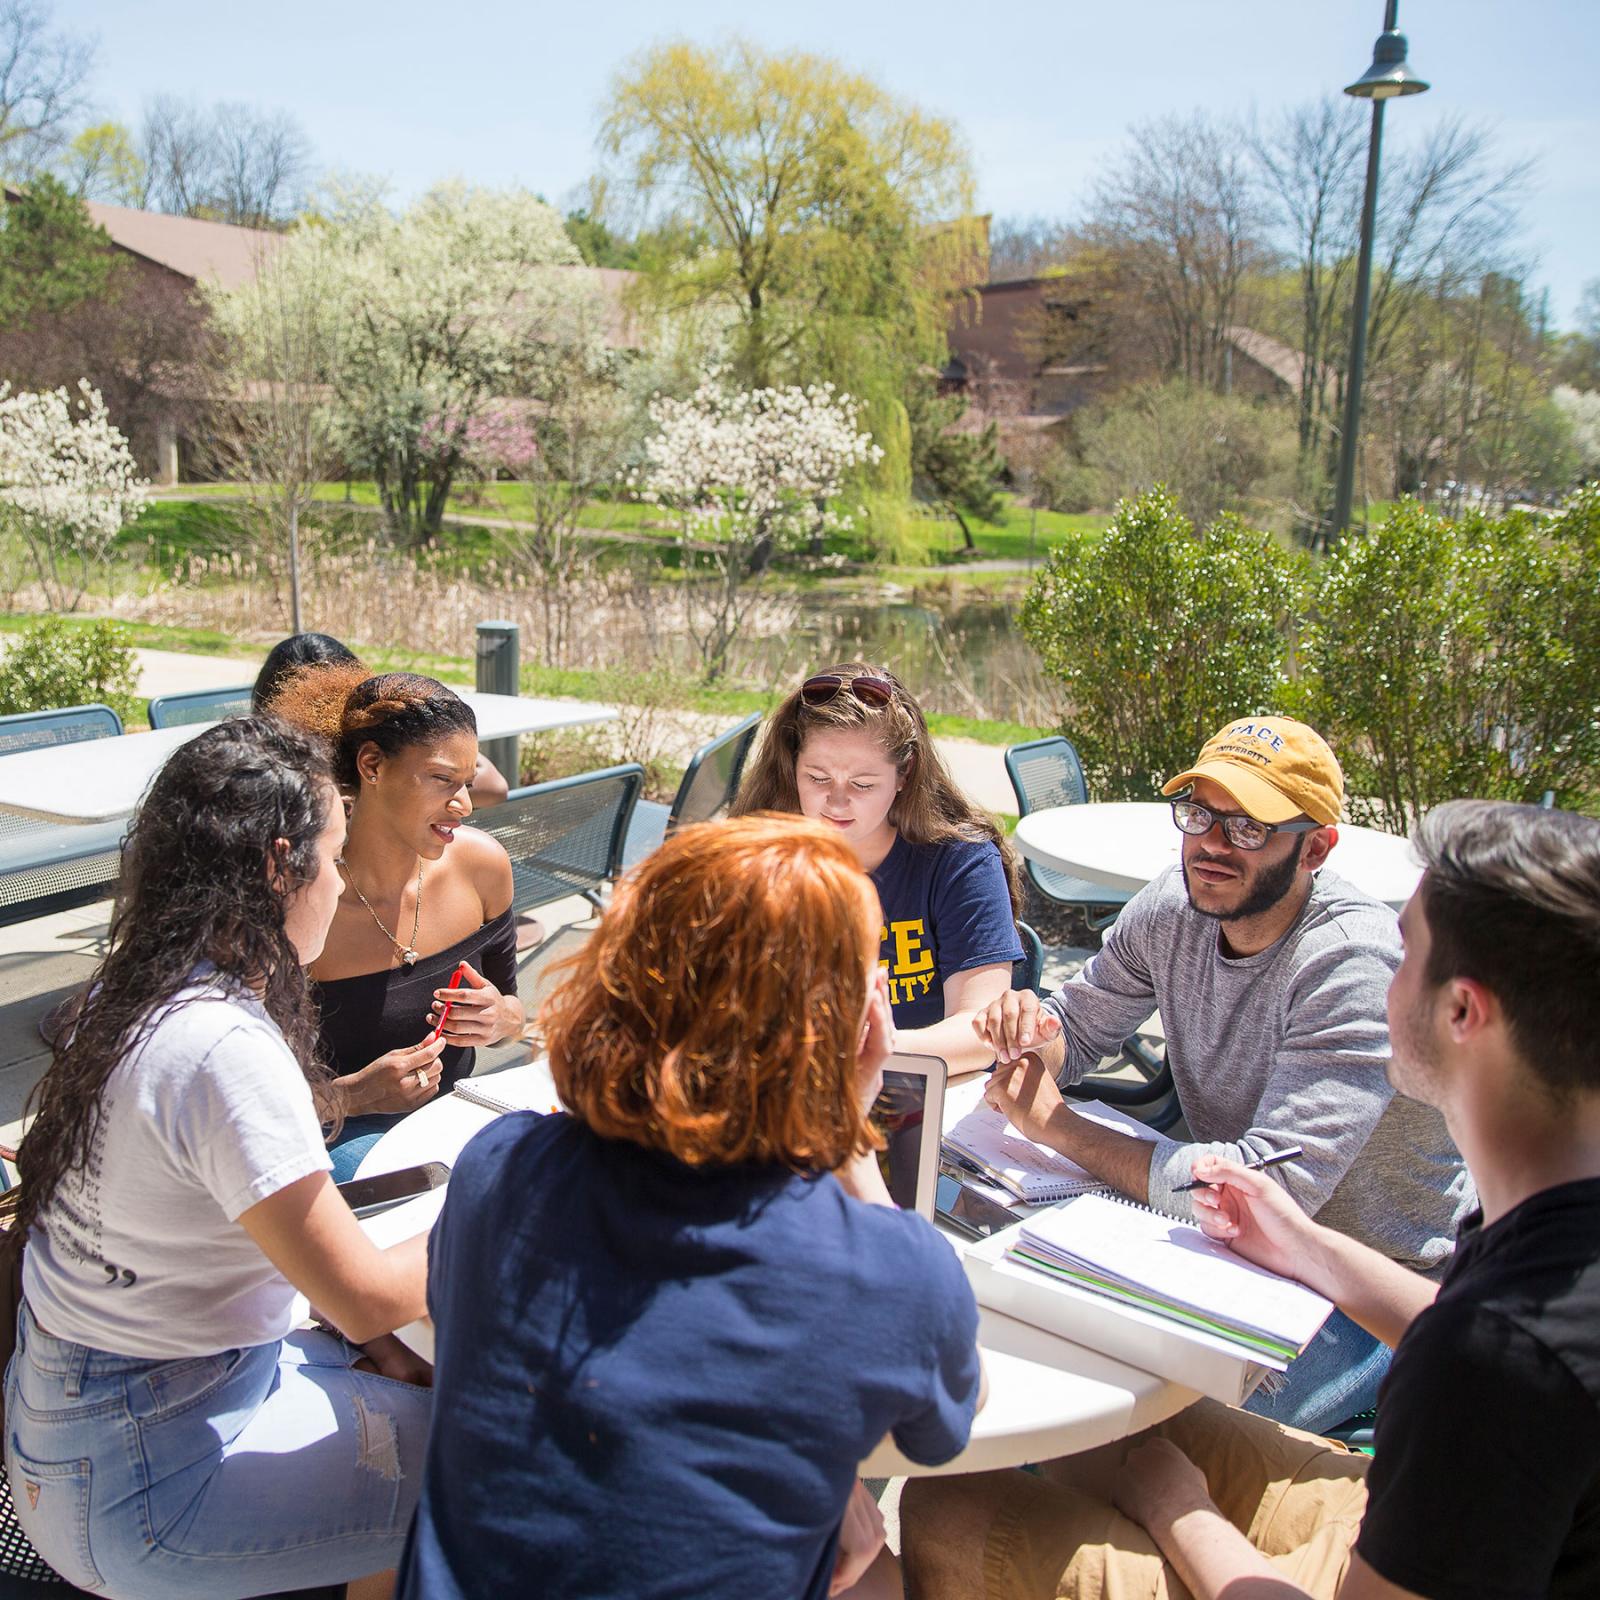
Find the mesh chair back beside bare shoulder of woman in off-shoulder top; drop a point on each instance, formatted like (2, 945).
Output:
(566, 838)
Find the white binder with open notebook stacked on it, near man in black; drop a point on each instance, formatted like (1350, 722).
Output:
(1150, 1290)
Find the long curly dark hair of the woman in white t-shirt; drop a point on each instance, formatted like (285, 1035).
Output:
(194, 889)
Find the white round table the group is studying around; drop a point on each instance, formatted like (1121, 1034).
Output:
(1047, 1396)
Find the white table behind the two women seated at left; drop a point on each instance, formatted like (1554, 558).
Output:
(103, 780)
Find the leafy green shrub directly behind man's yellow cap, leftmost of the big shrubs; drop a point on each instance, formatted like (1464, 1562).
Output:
(1159, 634)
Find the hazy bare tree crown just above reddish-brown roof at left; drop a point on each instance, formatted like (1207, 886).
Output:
(231, 162)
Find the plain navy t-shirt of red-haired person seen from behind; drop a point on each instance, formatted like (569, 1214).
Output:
(658, 1382)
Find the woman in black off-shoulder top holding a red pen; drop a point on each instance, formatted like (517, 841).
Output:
(425, 897)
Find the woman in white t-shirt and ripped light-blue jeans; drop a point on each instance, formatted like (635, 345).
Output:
(167, 1433)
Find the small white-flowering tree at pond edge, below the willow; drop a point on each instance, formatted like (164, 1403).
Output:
(750, 471)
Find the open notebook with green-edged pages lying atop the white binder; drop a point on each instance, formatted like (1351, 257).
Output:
(1159, 1265)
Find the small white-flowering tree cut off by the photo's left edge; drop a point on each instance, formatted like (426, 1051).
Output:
(68, 486)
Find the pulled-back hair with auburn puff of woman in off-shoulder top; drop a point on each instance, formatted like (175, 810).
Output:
(351, 710)
